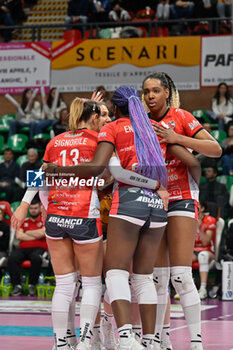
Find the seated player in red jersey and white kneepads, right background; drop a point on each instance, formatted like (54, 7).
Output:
(204, 246)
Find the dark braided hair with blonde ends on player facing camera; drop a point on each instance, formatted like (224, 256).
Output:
(173, 100)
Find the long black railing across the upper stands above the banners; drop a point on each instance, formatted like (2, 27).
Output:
(152, 26)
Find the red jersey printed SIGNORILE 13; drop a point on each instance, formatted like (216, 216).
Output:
(74, 199)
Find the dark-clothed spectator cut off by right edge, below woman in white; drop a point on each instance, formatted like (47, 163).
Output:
(227, 159)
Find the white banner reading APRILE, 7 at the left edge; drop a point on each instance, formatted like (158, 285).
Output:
(24, 65)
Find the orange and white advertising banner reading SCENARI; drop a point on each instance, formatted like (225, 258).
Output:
(83, 65)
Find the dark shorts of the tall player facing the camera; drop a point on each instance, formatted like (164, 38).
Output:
(183, 207)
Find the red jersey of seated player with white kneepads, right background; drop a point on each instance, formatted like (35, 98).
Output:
(208, 223)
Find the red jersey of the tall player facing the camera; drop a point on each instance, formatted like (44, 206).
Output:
(181, 185)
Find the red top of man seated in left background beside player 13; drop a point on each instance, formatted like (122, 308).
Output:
(28, 225)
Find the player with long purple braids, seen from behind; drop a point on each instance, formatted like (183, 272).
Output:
(136, 220)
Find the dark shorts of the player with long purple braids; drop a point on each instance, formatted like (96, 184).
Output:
(138, 206)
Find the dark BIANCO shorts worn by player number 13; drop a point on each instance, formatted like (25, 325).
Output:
(80, 230)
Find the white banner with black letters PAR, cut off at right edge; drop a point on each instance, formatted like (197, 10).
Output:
(217, 60)
